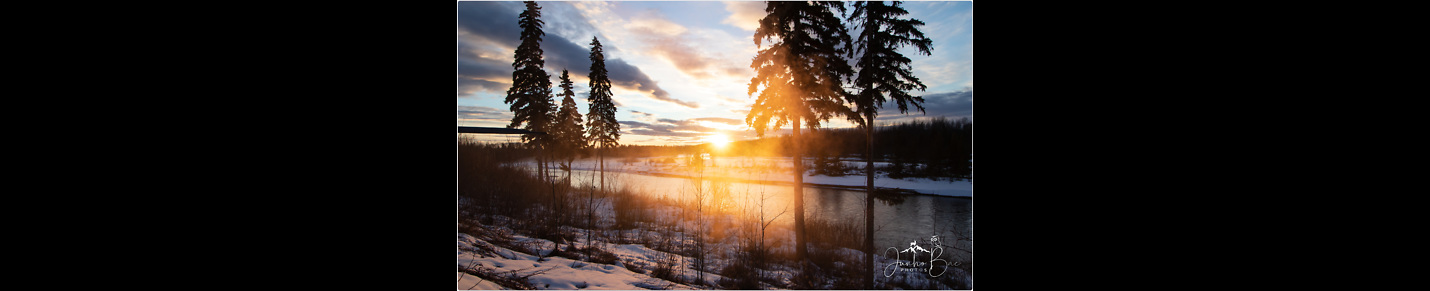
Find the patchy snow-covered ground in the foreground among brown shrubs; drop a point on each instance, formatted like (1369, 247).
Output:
(636, 263)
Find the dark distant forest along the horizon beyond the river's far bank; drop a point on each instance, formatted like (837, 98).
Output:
(932, 148)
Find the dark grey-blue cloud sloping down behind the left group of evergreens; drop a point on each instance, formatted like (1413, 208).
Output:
(488, 37)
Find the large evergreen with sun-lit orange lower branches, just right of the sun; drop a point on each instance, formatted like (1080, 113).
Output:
(803, 75)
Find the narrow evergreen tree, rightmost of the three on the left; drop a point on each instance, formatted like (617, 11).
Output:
(601, 120)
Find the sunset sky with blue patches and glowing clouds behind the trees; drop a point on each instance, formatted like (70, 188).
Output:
(681, 70)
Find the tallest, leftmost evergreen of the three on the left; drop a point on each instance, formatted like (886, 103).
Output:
(531, 87)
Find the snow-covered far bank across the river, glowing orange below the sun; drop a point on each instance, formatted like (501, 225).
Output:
(773, 170)
